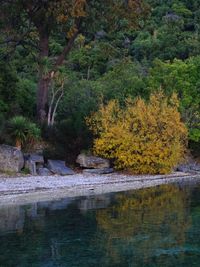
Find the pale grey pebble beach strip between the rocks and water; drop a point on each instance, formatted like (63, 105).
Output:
(30, 189)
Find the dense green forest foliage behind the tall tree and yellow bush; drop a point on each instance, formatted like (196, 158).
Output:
(109, 63)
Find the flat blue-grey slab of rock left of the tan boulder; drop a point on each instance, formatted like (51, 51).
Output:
(58, 167)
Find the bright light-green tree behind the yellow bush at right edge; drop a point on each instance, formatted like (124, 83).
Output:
(181, 77)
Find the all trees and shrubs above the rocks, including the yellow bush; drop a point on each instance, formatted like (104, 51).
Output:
(62, 63)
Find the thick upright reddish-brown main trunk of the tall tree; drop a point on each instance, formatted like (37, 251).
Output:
(44, 78)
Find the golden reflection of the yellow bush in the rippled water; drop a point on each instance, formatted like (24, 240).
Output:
(142, 222)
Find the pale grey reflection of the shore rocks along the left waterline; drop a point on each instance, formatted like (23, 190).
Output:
(12, 218)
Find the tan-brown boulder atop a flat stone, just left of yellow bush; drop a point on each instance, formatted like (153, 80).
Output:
(92, 162)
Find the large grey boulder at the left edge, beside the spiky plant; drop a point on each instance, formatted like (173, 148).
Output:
(11, 159)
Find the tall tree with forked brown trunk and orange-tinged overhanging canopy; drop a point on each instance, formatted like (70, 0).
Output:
(34, 22)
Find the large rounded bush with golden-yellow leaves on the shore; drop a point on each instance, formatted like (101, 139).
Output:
(143, 137)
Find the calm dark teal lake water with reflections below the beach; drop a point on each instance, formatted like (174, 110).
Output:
(151, 227)
